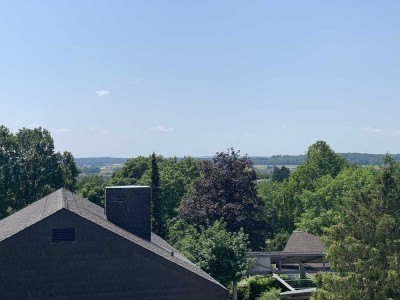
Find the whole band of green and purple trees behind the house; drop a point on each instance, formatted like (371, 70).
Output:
(214, 211)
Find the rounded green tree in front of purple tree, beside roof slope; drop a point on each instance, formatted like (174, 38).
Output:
(220, 253)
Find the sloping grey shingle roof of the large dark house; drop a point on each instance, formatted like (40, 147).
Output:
(63, 199)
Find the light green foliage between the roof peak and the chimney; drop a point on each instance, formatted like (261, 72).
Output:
(92, 188)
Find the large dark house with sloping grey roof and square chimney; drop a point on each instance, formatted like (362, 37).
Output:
(65, 247)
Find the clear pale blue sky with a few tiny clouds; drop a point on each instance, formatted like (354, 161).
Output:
(126, 78)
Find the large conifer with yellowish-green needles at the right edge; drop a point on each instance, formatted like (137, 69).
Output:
(364, 248)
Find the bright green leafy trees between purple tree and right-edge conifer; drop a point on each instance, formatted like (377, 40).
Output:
(309, 199)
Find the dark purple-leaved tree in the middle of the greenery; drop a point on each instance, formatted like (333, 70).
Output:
(227, 189)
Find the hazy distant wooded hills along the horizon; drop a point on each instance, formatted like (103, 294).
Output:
(356, 158)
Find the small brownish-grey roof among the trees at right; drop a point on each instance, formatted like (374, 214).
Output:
(304, 242)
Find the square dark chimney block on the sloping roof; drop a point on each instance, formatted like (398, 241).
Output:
(129, 207)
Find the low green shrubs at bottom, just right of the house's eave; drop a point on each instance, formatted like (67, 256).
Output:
(254, 287)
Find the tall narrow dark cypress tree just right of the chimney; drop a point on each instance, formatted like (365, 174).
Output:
(156, 199)
